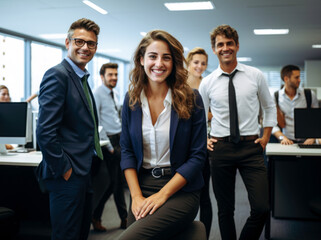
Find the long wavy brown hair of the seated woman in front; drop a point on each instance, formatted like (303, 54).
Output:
(183, 97)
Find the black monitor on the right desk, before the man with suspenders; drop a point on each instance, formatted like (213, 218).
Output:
(307, 122)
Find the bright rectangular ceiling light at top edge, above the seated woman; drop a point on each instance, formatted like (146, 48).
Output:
(189, 6)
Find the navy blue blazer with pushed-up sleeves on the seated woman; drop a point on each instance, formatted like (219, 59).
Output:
(187, 142)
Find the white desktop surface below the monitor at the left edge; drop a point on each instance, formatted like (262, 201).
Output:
(31, 159)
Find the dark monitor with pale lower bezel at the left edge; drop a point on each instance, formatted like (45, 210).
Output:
(13, 122)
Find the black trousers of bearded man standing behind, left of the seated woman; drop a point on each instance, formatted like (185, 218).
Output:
(116, 185)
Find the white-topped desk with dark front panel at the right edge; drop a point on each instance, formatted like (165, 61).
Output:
(295, 179)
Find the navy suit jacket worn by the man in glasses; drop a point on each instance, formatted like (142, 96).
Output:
(65, 127)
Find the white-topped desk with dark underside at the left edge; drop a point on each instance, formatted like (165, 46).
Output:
(20, 192)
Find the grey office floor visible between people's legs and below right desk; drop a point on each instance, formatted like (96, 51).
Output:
(280, 229)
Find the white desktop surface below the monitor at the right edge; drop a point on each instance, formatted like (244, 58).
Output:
(291, 150)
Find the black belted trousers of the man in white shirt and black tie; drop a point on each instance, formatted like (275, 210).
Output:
(247, 157)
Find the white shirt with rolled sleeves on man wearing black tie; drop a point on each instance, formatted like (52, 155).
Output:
(251, 92)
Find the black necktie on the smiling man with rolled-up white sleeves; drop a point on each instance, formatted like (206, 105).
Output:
(234, 122)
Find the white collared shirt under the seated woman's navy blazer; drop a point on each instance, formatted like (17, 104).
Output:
(156, 137)
